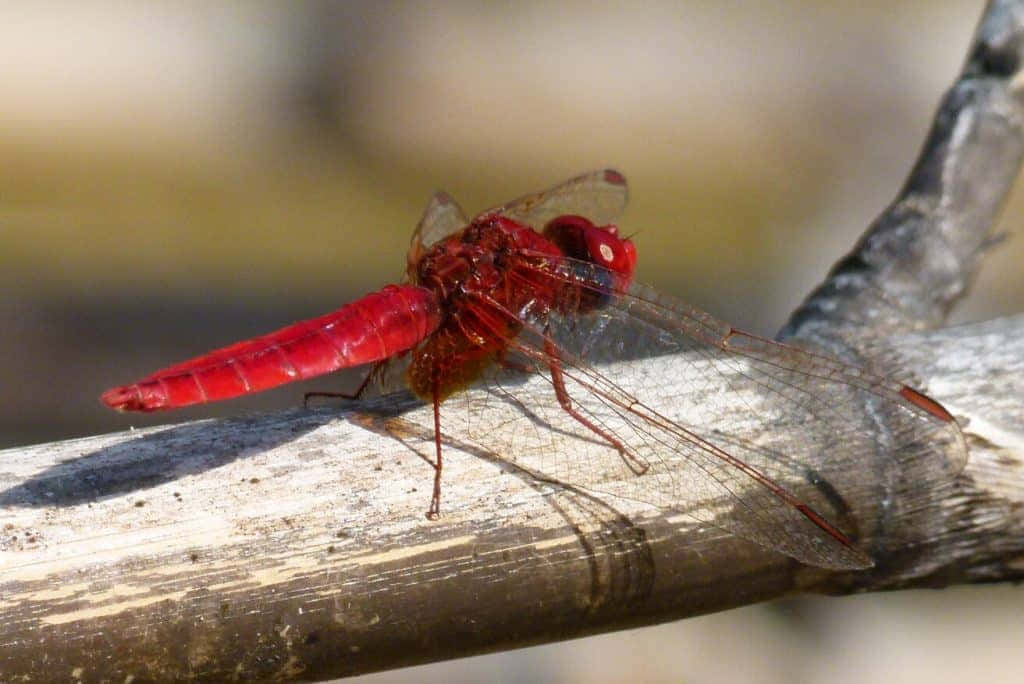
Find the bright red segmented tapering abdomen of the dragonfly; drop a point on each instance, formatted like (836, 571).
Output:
(371, 329)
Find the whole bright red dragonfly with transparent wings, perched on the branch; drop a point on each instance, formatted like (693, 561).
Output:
(542, 287)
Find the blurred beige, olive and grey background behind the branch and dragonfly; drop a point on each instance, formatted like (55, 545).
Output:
(178, 177)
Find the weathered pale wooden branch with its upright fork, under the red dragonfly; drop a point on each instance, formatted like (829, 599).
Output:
(294, 546)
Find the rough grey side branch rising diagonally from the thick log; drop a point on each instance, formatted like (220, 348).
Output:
(919, 258)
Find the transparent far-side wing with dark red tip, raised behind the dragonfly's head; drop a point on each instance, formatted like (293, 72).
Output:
(601, 196)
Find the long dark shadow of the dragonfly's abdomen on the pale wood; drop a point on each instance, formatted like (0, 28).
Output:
(161, 457)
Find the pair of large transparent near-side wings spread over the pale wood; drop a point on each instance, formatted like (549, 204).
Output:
(772, 443)
